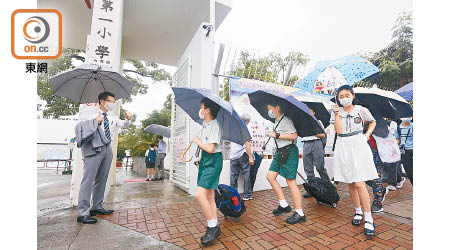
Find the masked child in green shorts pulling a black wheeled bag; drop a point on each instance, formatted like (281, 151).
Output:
(285, 163)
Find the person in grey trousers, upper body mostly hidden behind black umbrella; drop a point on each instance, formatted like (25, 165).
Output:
(314, 155)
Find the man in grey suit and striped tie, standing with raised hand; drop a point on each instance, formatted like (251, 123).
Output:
(94, 137)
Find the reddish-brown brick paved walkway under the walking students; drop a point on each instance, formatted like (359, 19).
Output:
(183, 224)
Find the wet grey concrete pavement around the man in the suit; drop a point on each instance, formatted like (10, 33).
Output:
(56, 223)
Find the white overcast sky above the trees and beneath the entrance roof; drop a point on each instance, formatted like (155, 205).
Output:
(321, 29)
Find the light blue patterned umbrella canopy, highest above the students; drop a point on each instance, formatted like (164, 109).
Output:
(350, 69)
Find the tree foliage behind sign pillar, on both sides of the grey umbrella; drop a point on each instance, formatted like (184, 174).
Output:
(57, 106)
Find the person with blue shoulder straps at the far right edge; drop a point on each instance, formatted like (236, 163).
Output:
(404, 135)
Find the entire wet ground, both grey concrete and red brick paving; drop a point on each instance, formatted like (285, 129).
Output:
(157, 215)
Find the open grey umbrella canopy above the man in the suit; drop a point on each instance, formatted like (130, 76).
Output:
(86, 82)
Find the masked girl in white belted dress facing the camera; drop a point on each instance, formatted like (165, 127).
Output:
(353, 159)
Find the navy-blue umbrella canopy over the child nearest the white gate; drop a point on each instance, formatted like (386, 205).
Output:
(233, 128)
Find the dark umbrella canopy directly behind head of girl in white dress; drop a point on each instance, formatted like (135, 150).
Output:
(382, 103)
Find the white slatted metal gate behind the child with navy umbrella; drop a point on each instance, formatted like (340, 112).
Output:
(179, 173)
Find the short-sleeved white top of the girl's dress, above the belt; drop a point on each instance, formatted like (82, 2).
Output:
(353, 121)
